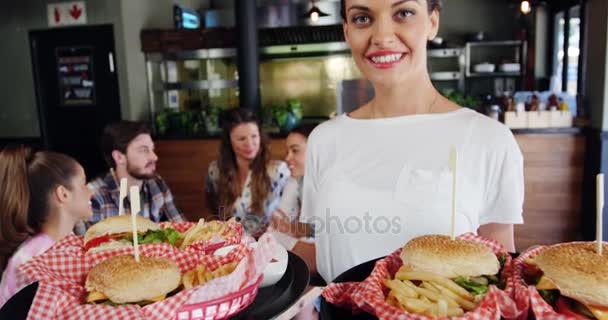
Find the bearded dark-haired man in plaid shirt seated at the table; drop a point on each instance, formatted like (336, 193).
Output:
(128, 149)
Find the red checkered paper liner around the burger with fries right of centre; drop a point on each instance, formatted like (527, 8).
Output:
(370, 295)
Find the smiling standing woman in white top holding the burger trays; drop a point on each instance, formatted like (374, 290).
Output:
(379, 176)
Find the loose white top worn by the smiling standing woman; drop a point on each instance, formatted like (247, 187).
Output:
(372, 185)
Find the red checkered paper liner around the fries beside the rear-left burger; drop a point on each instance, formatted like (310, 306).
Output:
(232, 234)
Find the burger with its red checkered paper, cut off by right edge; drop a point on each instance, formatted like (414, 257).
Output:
(563, 281)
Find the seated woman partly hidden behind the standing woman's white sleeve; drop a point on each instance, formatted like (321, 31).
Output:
(292, 234)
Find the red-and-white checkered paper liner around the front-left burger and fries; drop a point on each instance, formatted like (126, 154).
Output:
(62, 270)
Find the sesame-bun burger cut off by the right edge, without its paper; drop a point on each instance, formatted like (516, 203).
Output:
(573, 278)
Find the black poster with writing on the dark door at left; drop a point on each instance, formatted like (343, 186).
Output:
(75, 75)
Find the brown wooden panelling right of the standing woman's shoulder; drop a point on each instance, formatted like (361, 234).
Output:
(553, 170)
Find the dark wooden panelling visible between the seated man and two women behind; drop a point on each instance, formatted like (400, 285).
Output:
(183, 164)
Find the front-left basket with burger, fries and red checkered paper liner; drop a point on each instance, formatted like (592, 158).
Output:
(166, 283)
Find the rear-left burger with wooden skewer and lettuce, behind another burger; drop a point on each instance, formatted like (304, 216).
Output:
(117, 232)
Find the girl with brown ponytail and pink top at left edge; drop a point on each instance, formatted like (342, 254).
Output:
(42, 196)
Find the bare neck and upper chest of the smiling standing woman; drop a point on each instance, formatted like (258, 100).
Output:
(407, 99)
